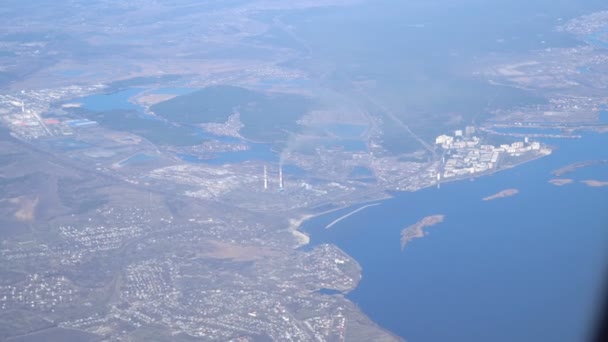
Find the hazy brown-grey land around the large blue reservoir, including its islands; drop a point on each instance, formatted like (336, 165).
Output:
(158, 158)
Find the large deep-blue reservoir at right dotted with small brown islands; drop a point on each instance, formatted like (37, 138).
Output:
(523, 268)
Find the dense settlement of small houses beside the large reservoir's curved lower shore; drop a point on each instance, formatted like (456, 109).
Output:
(193, 297)
